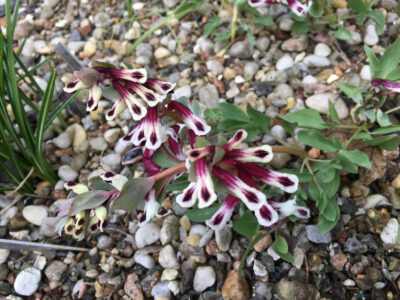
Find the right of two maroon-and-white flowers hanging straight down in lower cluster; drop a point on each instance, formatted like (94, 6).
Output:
(205, 185)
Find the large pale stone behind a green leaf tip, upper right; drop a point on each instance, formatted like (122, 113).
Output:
(320, 102)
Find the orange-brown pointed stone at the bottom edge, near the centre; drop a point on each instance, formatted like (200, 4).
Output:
(235, 287)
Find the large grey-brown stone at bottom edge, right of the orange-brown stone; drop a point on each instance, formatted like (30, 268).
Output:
(295, 289)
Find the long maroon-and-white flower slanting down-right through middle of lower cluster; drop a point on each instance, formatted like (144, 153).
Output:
(251, 197)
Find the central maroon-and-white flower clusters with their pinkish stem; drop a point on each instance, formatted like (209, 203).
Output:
(169, 128)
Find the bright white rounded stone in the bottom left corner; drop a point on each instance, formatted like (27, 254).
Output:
(27, 281)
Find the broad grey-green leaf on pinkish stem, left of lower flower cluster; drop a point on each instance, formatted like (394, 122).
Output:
(133, 193)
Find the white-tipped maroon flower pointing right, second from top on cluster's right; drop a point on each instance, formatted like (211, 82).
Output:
(286, 182)
